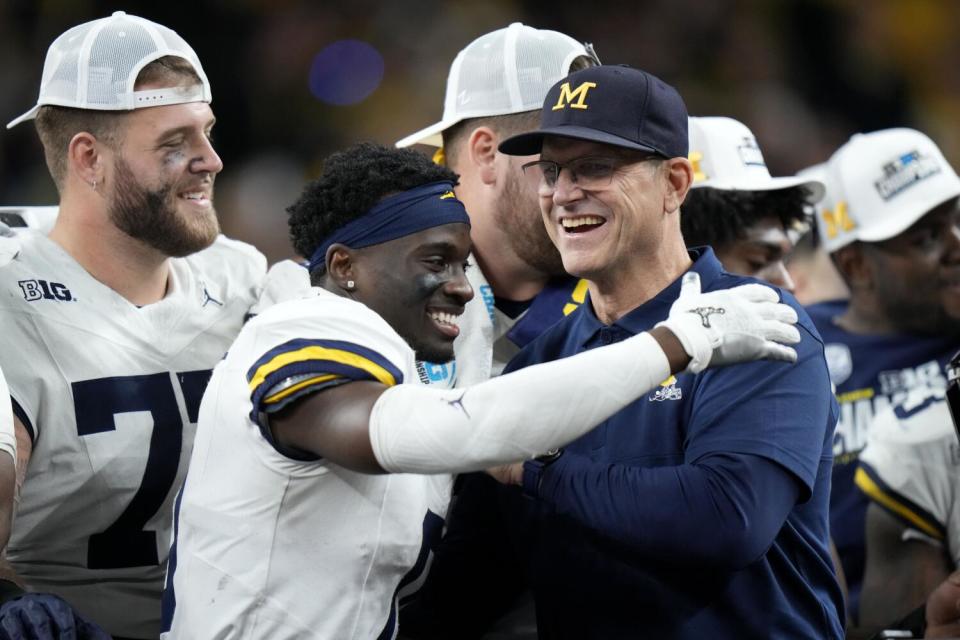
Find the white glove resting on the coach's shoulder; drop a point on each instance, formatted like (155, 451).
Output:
(731, 325)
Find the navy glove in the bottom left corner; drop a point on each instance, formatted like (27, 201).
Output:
(44, 616)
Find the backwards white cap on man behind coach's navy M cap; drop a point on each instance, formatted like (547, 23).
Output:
(505, 71)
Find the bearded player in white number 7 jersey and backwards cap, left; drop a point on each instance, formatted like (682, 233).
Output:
(113, 321)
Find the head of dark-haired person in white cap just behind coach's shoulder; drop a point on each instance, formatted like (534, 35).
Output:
(749, 218)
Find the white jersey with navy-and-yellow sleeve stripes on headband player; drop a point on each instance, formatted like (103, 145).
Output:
(269, 546)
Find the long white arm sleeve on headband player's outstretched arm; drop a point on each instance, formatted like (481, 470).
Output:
(417, 429)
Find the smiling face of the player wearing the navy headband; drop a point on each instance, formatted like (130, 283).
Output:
(418, 285)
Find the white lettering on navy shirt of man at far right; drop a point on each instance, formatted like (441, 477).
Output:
(859, 406)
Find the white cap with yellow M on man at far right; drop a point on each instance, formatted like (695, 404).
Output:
(885, 181)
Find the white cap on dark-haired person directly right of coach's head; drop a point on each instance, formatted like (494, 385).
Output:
(726, 156)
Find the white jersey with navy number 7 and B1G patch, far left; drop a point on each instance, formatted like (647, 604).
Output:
(110, 392)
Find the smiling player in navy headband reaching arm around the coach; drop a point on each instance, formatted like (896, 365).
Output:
(289, 525)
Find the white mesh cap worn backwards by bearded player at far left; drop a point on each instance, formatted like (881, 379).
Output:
(95, 65)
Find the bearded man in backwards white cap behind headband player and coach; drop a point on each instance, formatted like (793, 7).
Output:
(495, 89)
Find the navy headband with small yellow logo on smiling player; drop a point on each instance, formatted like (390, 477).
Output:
(396, 216)
